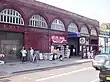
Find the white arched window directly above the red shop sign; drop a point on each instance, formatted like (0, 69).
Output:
(57, 25)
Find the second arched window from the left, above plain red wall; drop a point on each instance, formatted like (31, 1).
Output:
(38, 21)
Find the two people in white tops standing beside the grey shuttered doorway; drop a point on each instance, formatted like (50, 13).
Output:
(24, 53)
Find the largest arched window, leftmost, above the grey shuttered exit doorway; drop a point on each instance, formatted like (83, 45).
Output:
(11, 16)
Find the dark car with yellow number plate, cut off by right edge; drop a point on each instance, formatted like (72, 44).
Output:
(104, 74)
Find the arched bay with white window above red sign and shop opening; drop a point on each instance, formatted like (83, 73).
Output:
(58, 35)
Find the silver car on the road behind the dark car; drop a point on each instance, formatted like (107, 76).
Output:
(99, 60)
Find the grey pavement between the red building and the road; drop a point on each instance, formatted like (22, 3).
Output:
(10, 69)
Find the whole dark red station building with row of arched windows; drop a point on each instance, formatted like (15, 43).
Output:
(30, 23)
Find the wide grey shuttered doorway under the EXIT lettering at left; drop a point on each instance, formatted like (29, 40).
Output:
(10, 45)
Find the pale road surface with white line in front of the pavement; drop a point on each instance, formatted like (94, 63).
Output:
(76, 73)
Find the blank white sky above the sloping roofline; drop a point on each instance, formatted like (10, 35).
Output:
(95, 9)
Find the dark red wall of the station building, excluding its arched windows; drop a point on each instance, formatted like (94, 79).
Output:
(39, 38)
